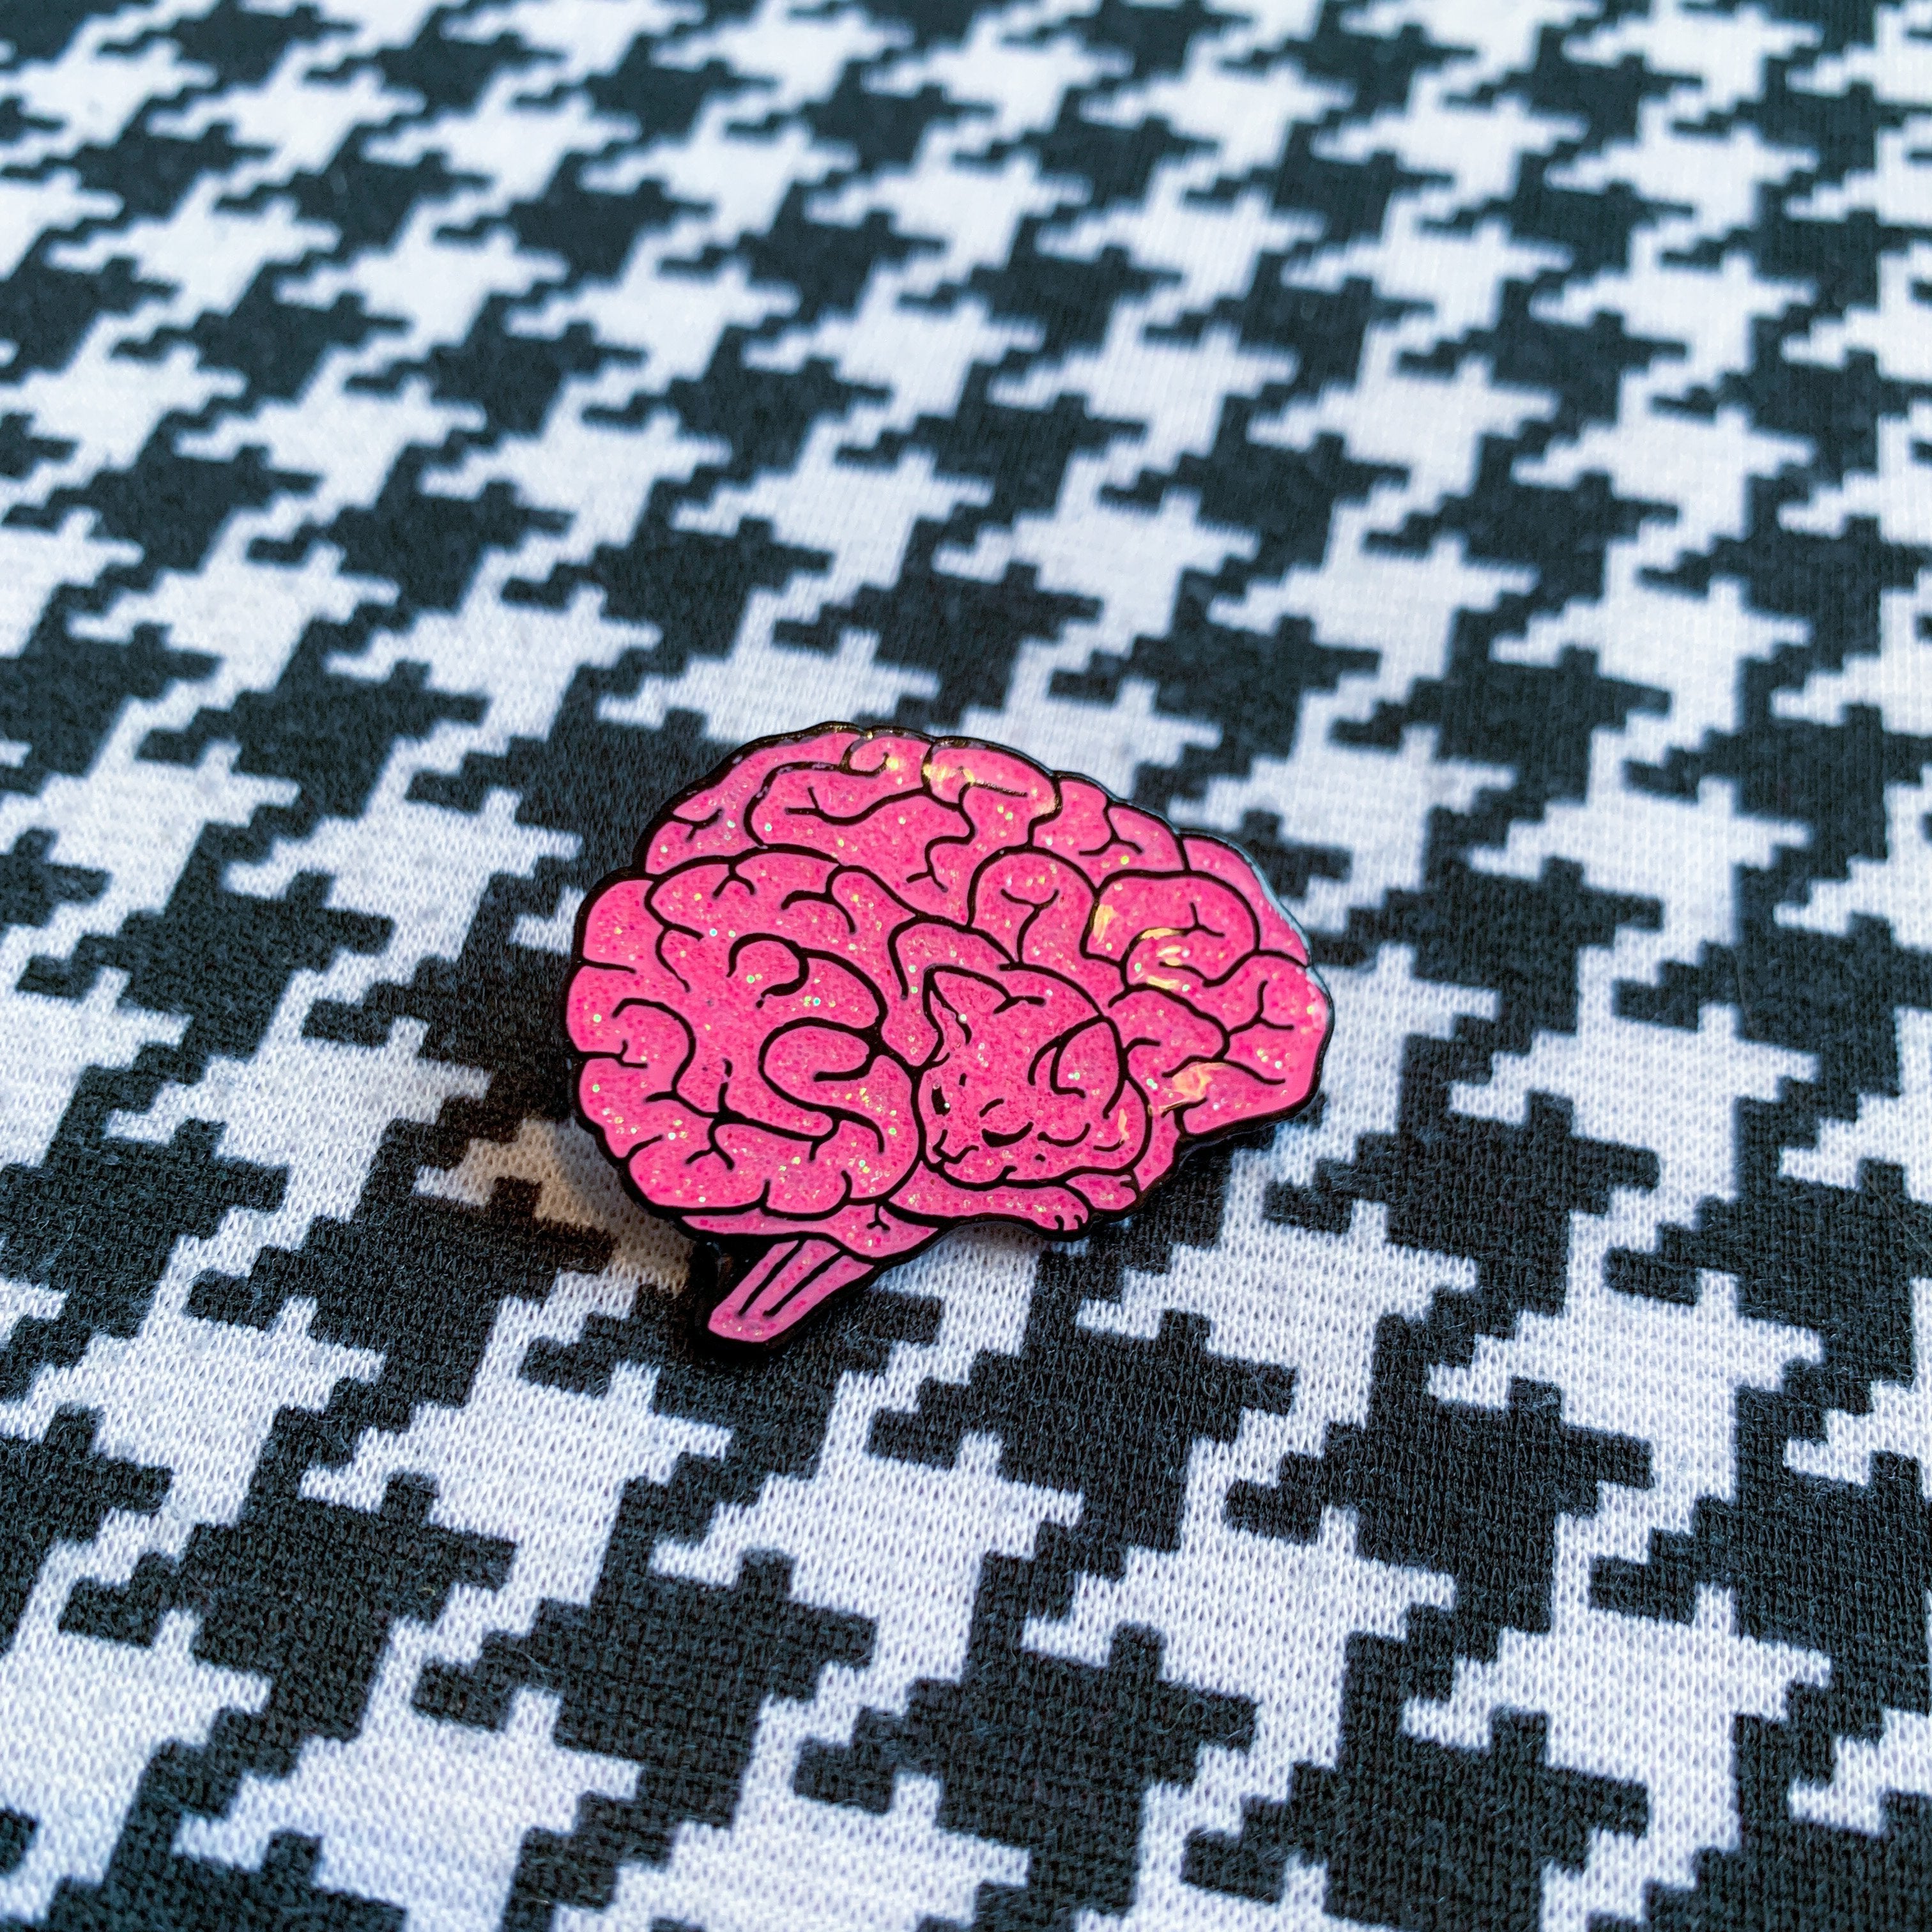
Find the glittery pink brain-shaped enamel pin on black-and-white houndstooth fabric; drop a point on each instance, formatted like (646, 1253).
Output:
(863, 988)
